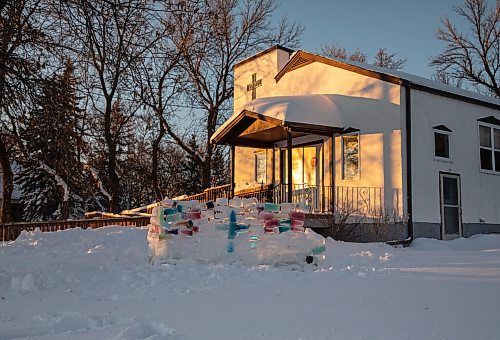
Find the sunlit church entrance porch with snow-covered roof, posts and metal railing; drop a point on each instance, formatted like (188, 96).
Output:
(299, 162)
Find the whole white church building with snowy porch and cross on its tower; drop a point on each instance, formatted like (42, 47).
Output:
(339, 134)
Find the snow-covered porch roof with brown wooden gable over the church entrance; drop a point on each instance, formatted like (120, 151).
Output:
(265, 121)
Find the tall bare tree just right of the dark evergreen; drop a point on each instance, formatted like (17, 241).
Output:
(110, 37)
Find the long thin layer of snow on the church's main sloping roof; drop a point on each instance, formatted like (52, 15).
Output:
(432, 84)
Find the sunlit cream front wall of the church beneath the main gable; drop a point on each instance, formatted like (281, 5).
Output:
(381, 170)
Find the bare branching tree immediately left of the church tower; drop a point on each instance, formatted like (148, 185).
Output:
(218, 34)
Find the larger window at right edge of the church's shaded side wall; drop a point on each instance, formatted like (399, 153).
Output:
(489, 148)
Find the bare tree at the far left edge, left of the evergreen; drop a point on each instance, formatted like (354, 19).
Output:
(22, 41)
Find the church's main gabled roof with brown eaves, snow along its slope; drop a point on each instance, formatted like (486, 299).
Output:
(302, 58)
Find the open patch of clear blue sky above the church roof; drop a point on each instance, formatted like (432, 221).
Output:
(405, 27)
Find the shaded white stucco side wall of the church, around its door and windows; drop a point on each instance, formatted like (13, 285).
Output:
(480, 191)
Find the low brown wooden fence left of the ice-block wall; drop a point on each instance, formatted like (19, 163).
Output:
(10, 231)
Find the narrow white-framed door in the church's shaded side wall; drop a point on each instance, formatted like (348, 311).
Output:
(451, 206)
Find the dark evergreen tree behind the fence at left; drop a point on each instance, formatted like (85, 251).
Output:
(52, 173)
